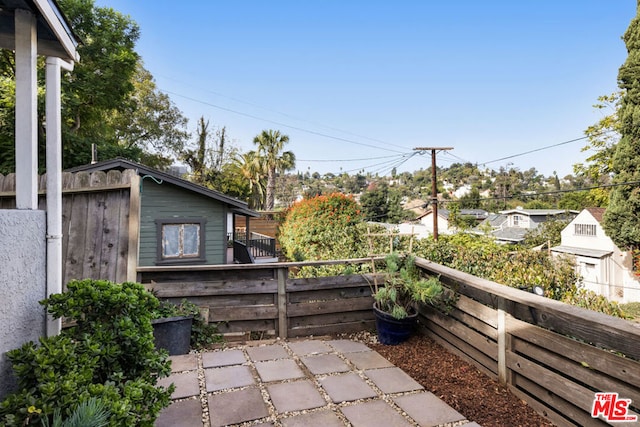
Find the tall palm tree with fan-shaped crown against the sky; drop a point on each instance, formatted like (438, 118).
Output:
(270, 144)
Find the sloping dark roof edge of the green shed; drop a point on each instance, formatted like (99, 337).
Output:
(239, 207)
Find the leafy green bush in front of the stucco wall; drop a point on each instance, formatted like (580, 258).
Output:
(109, 354)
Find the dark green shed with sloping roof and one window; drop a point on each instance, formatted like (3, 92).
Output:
(180, 223)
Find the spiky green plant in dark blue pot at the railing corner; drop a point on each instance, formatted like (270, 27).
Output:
(395, 301)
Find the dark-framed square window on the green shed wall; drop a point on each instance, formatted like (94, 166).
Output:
(180, 240)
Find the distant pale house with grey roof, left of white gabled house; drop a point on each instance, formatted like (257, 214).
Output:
(510, 226)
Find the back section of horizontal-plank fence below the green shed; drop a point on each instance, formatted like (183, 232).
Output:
(251, 298)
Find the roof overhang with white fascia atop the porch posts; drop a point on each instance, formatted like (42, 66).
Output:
(55, 37)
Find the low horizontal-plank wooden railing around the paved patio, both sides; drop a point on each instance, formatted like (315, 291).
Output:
(553, 355)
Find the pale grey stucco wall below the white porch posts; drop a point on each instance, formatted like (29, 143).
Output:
(22, 284)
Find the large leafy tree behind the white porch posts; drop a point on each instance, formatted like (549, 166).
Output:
(109, 99)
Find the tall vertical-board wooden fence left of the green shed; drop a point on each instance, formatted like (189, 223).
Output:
(96, 219)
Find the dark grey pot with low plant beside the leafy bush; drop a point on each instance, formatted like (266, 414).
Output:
(172, 326)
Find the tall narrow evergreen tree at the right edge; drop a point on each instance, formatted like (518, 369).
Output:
(622, 218)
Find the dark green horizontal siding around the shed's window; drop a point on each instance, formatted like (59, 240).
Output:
(162, 201)
